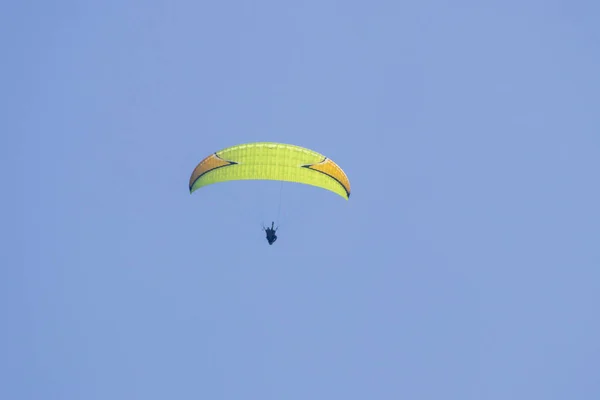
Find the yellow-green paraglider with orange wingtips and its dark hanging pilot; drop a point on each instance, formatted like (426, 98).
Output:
(270, 161)
